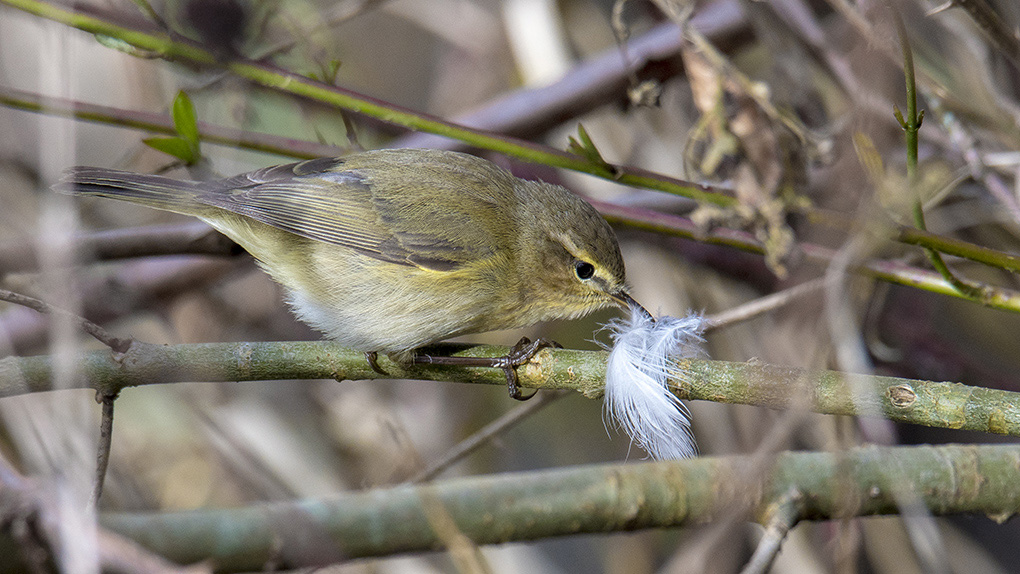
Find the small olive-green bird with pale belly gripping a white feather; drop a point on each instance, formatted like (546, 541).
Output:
(390, 250)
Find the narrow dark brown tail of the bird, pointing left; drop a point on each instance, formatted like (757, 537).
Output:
(151, 191)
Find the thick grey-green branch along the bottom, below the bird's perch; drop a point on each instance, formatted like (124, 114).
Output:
(582, 500)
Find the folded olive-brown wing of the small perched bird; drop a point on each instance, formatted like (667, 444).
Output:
(345, 204)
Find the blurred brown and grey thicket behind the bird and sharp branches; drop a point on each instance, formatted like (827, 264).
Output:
(787, 102)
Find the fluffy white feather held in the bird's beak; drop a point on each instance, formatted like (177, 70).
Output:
(638, 398)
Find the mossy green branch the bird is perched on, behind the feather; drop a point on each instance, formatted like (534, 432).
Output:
(943, 405)
